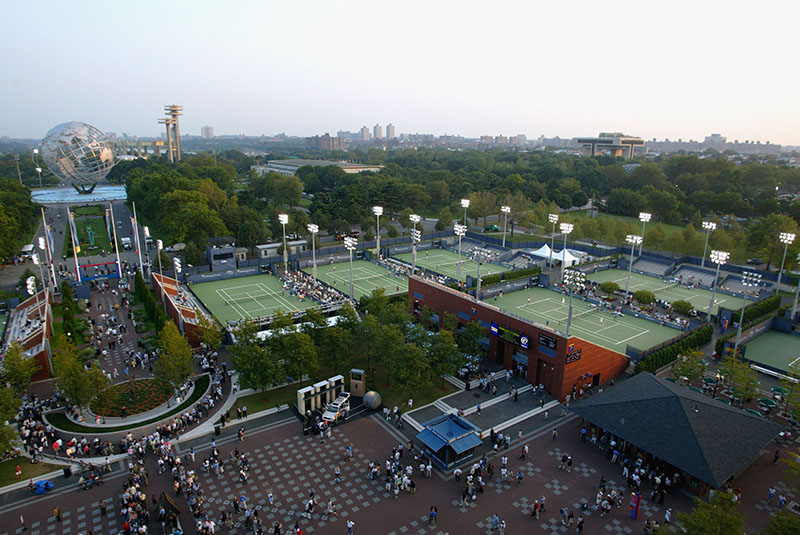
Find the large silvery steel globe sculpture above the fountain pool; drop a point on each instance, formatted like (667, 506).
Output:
(77, 153)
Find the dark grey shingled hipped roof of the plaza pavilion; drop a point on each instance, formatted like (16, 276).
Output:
(695, 433)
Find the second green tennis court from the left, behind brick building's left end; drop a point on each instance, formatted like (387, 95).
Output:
(366, 278)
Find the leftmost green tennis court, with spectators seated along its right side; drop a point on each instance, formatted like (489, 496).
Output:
(257, 296)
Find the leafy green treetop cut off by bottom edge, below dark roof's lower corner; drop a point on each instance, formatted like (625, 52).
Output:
(718, 516)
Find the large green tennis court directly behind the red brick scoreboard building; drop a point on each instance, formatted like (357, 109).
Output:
(600, 327)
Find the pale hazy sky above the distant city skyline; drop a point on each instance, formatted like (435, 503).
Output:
(654, 69)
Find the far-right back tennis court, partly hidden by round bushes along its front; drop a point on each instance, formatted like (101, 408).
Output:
(667, 289)
